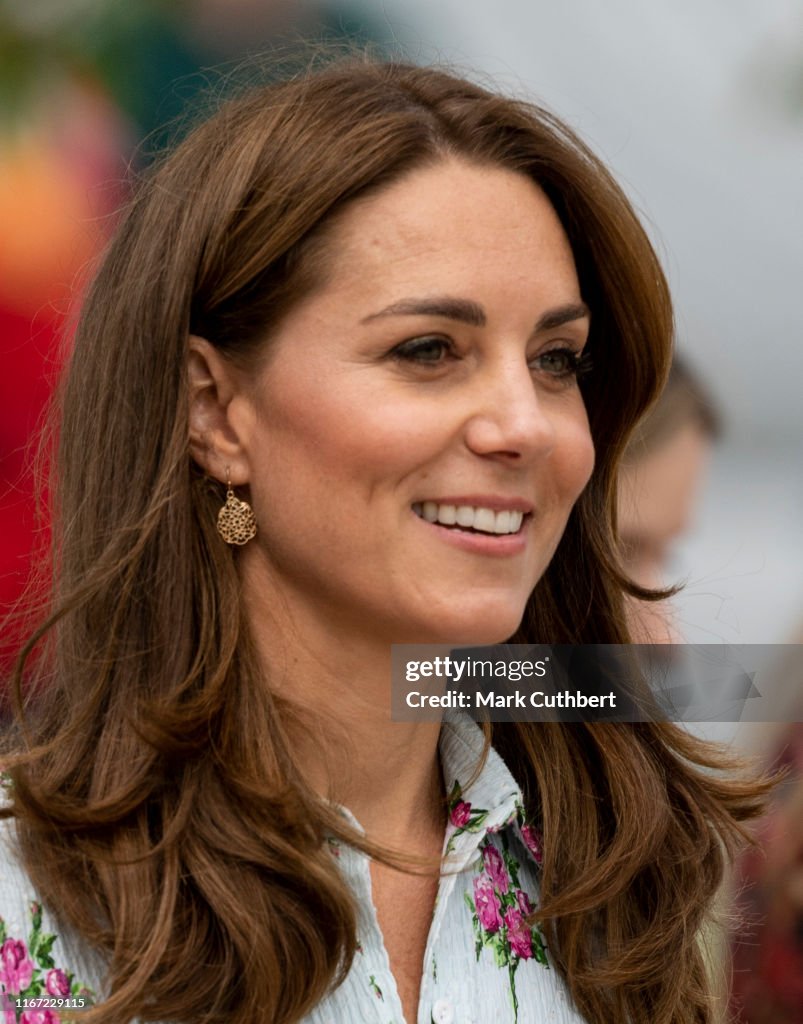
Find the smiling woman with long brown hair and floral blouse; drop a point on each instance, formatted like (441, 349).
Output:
(357, 312)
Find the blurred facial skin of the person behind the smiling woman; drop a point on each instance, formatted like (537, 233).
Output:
(656, 502)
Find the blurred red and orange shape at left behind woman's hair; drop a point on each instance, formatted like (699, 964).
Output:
(61, 177)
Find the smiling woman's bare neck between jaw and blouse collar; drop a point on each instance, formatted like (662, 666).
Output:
(387, 774)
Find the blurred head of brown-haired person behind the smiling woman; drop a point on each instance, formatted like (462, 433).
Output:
(661, 476)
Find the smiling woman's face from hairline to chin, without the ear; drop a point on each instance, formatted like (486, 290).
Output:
(415, 438)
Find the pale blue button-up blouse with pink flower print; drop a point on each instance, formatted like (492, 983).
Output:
(483, 965)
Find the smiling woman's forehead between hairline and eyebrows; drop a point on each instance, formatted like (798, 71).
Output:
(454, 220)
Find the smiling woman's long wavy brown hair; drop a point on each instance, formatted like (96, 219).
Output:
(159, 806)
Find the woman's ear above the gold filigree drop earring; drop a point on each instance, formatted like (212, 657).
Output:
(218, 423)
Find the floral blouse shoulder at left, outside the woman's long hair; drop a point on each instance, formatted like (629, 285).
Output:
(39, 961)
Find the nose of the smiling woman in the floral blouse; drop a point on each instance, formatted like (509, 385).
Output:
(511, 419)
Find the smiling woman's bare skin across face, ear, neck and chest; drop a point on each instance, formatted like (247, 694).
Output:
(341, 433)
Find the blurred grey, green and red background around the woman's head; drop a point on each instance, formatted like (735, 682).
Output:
(696, 105)
